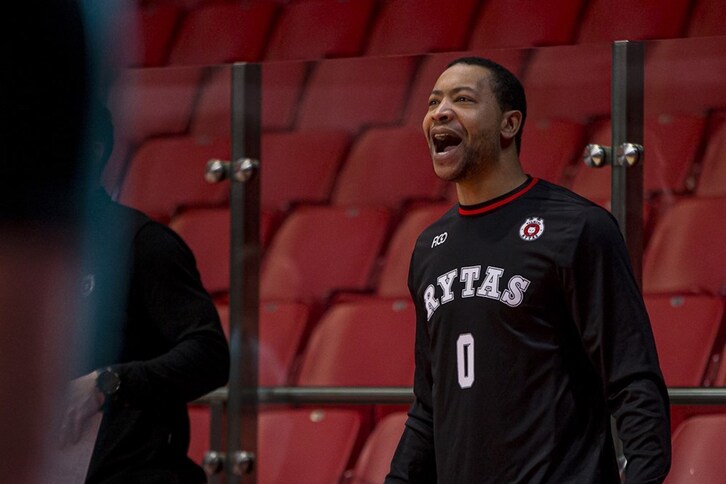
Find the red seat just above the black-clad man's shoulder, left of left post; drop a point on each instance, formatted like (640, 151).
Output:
(166, 174)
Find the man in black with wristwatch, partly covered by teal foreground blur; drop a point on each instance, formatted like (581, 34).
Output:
(156, 340)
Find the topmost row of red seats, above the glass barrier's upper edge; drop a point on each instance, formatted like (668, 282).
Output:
(219, 32)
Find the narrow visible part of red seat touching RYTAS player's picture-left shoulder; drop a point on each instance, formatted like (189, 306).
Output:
(393, 279)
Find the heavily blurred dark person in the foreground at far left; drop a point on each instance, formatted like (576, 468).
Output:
(43, 98)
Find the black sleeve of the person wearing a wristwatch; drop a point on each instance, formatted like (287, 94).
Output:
(193, 356)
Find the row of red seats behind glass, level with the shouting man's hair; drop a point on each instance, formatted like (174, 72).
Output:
(570, 83)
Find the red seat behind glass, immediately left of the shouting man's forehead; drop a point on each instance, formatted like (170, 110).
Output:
(353, 93)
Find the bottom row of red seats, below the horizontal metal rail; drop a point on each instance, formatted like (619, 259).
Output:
(317, 445)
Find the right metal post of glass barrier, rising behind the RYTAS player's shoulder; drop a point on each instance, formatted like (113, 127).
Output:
(627, 128)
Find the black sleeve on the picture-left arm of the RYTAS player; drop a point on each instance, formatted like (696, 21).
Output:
(414, 460)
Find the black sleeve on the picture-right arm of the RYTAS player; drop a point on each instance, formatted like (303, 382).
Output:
(611, 318)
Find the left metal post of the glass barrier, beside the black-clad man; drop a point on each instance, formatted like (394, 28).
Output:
(244, 273)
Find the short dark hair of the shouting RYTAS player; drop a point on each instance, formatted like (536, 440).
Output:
(505, 86)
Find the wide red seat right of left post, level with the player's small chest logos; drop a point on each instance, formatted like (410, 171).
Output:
(319, 250)
